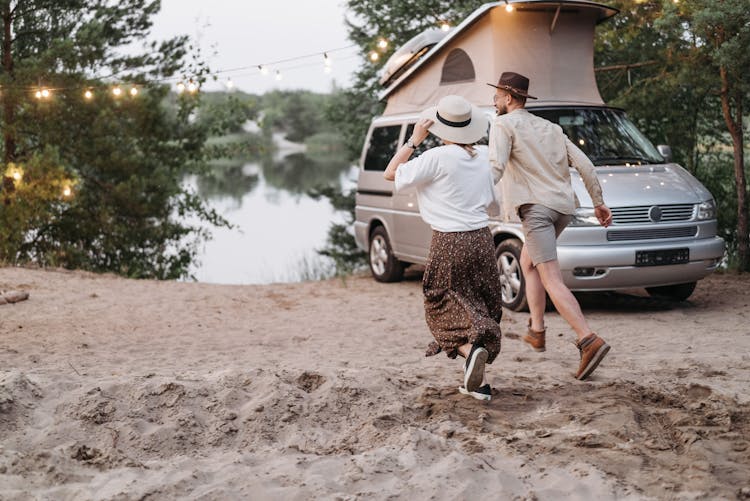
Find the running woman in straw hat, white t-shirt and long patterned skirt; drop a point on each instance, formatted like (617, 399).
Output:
(455, 191)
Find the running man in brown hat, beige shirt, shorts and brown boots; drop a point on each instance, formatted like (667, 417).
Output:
(535, 156)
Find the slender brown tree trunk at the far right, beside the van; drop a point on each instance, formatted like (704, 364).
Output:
(736, 131)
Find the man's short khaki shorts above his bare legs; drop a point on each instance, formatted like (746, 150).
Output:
(541, 227)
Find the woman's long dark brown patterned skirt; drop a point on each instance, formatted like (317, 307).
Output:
(462, 296)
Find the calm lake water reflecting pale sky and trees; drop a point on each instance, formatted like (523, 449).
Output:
(278, 227)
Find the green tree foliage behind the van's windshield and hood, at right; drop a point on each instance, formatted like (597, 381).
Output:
(666, 64)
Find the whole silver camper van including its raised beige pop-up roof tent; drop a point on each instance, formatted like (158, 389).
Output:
(663, 235)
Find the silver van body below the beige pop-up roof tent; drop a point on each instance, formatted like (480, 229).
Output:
(663, 235)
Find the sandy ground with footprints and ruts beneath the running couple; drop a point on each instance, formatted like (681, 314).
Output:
(122, 389)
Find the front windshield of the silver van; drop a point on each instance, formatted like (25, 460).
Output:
(605, 135)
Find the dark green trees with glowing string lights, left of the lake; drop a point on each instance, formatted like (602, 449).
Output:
(94, 181)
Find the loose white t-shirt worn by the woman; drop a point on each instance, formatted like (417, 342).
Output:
(454, 190)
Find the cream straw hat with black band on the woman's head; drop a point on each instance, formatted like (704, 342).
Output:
(457, 120)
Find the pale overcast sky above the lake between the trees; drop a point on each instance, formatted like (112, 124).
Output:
(246, 33)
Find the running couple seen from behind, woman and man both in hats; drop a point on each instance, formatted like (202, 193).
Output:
(455, 185)
